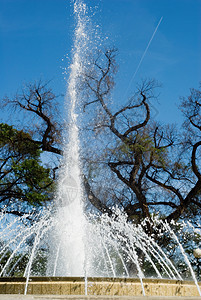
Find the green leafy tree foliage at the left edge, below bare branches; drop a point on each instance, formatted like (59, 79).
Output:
(22, 177)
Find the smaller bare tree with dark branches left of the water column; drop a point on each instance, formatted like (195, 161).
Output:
(43, 120)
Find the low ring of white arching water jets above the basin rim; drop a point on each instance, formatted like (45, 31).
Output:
(113, 246)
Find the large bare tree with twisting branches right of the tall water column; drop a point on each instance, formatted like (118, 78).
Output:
(146, 157)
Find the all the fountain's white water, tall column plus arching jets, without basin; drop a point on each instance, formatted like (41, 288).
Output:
(80, 245)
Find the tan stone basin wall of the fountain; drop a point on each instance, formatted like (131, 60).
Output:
(97, 286)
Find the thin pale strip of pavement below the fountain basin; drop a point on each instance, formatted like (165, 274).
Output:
(63, 297)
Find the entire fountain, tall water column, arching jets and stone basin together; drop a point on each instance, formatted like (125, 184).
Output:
(93, 254)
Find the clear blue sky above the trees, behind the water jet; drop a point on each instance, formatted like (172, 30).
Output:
(35, 35)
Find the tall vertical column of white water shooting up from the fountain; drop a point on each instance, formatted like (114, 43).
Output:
(69, 233)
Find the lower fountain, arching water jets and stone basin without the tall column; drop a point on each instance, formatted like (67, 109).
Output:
(121, 259)
